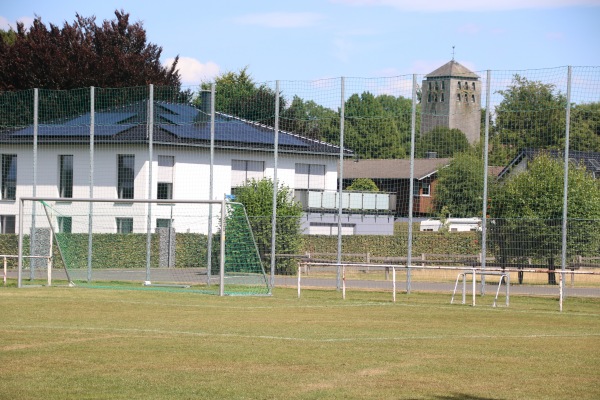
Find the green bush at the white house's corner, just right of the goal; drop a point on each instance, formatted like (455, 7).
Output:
(257, 197)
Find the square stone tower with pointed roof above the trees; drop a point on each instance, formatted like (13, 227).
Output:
(451, 96)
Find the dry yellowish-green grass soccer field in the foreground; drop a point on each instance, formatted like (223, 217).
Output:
(72, 343)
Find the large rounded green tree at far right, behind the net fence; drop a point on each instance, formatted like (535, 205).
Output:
(526, 213)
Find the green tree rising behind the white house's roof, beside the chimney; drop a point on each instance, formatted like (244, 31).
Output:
(238, 95)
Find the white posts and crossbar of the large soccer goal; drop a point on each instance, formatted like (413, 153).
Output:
(221, 203)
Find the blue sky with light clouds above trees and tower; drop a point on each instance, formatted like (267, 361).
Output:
(317, 39)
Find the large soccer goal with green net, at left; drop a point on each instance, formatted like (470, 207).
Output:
(205, 246)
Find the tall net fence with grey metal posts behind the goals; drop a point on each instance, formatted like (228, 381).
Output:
(454, 169)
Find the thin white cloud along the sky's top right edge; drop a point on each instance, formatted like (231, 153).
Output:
(469, 5)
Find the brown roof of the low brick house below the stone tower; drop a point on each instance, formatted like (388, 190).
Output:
(393, 169)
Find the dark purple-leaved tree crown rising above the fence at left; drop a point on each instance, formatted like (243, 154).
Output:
(82, 54)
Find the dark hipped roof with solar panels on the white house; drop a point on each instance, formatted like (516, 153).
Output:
(173, 124)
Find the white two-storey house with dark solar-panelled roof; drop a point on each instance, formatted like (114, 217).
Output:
(126, 155)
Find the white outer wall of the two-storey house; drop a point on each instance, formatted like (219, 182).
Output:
(191, 179)
